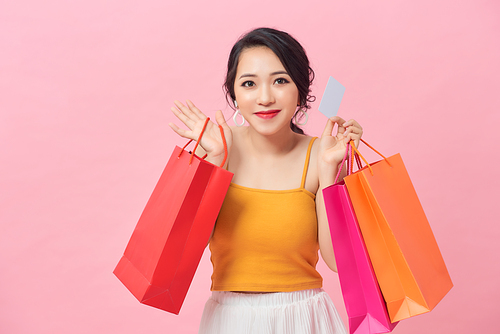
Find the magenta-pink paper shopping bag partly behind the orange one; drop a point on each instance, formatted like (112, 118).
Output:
(364, 303)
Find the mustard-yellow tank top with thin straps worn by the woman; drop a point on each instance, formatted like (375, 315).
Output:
(266, 240)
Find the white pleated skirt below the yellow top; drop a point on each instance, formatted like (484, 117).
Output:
(298, 312)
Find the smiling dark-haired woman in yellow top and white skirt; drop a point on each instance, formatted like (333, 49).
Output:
(265, 243)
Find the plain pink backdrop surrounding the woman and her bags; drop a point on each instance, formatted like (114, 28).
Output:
(85, 92)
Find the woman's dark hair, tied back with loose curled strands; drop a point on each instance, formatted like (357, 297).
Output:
(291, 54)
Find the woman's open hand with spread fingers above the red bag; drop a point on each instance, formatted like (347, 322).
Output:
(211, 140)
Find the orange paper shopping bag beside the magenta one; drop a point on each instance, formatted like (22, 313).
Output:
(405, 256)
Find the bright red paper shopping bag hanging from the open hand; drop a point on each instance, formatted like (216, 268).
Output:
(167, 244)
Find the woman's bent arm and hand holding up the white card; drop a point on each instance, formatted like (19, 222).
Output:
(331, 151)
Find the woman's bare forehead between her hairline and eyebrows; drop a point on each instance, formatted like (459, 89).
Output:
(258, 60)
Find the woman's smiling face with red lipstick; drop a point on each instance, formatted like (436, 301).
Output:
(266, 95)
